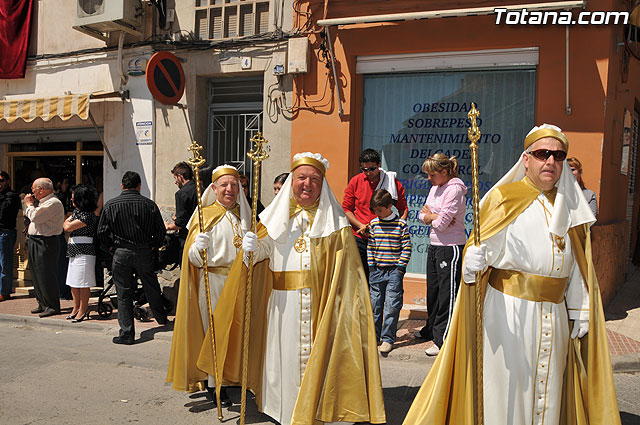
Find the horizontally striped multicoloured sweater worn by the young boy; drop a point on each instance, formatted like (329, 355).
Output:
(389, 243)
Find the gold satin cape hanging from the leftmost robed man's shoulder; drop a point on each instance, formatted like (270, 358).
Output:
(188, 333)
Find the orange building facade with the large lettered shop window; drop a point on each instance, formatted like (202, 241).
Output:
(404, 86)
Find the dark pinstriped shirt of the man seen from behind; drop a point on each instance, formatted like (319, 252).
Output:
(131, 220)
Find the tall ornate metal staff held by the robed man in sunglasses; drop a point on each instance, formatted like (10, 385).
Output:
(473, 133)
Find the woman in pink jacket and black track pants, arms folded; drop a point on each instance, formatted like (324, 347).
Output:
(444, 211)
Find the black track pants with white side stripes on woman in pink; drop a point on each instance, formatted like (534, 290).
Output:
(444, 266)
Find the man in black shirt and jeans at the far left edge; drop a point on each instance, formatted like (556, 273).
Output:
(9, 206)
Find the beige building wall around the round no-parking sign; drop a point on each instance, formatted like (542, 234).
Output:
(174, 126)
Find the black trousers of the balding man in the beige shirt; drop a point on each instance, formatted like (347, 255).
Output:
(43, 261)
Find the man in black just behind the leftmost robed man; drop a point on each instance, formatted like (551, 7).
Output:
(186, 200)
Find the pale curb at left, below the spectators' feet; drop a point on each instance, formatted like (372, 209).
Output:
(63, 325)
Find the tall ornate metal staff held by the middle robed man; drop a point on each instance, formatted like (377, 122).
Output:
(257, 155)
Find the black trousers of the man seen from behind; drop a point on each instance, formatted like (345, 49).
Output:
(126, 262)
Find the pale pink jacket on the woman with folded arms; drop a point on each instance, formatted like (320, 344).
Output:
(448, 202)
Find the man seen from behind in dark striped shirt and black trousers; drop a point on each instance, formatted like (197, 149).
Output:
(131, 226)
